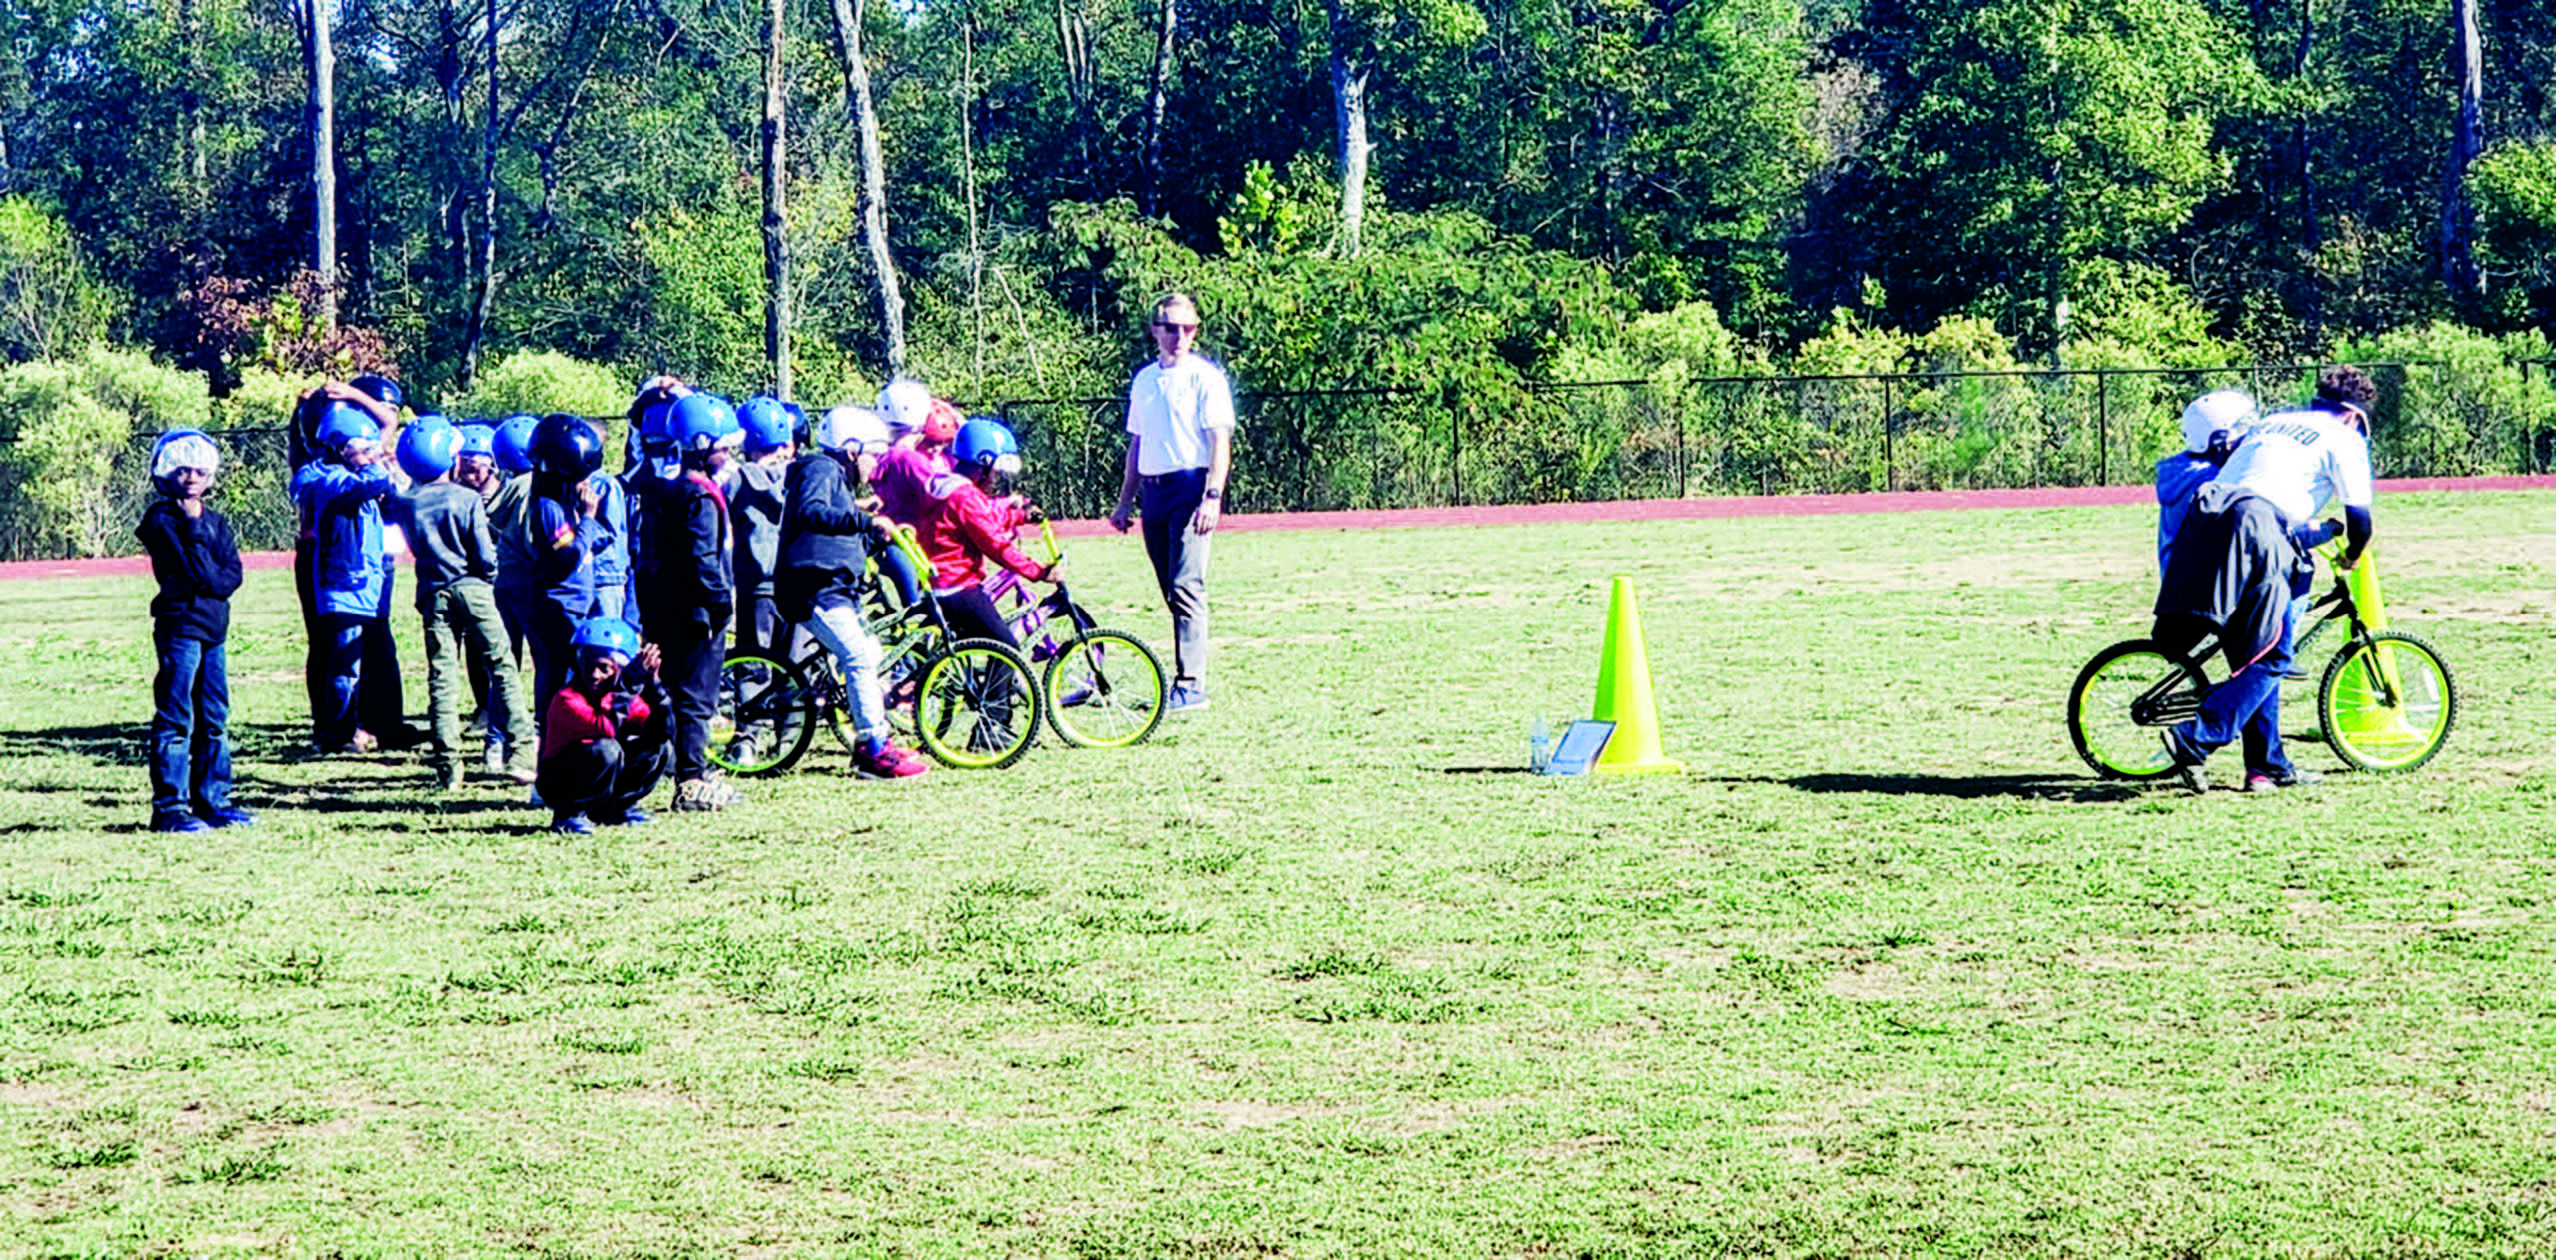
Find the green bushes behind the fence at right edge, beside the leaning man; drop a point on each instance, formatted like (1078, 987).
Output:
(2463, 405)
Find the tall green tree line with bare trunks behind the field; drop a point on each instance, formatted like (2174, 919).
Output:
(1451, 196)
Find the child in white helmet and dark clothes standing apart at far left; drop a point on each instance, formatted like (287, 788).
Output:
(198, 566)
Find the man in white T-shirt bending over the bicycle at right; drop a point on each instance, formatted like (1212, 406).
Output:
(2235, 558)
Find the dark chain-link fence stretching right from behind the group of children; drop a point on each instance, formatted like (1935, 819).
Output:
(1379, 449)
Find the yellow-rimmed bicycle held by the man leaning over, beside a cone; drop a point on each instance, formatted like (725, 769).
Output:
(2386, 702)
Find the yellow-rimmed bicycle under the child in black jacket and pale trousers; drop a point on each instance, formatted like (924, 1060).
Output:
(970, 704)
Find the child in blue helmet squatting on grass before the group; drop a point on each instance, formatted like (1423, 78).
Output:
(604, 742)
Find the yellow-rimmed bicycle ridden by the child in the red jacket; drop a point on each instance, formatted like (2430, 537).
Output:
(1103, 686)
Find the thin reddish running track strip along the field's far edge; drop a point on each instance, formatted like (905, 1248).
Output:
(1627, 510)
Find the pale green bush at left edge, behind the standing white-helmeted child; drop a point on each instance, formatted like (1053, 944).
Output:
(73, 449)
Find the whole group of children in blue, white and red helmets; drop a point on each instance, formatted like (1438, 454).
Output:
(622, 589)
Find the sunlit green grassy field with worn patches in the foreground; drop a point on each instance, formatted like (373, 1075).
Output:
(1320, 972)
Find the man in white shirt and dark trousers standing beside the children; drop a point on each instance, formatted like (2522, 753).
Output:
(1180, 451)
